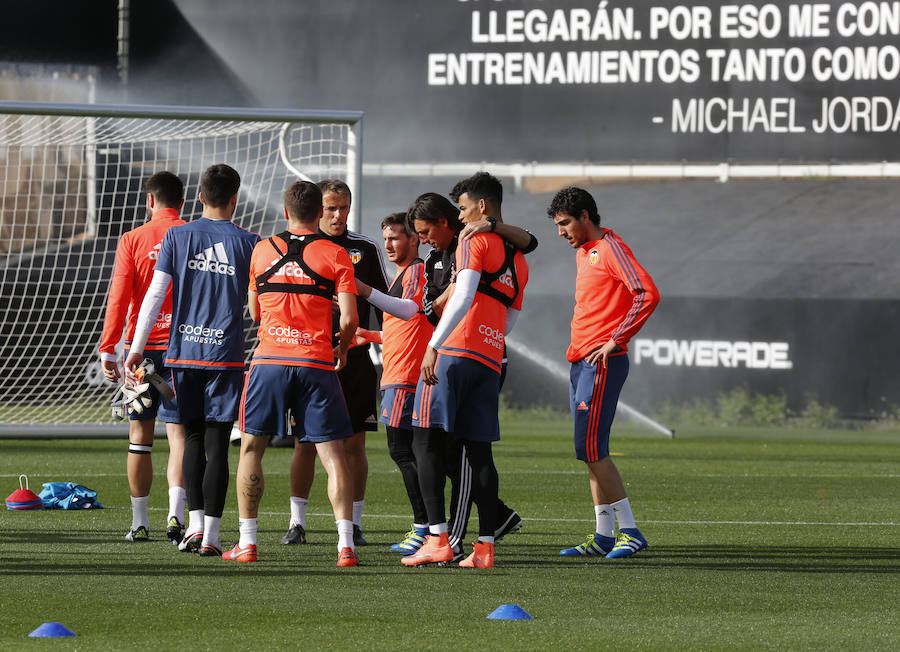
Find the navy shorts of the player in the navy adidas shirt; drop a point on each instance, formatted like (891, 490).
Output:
(208, 395)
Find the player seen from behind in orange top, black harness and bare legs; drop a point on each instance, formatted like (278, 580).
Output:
(293, 277)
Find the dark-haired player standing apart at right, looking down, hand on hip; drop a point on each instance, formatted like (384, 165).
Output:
(614, 296)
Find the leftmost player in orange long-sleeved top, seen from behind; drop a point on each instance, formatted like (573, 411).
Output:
(135, 258)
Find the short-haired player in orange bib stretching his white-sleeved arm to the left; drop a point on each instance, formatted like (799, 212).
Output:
(404, 337)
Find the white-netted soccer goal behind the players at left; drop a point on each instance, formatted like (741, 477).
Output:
(71, 179)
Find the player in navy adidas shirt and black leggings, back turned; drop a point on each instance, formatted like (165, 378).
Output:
(207, 263)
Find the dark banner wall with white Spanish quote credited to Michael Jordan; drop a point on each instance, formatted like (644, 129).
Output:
(572, 80)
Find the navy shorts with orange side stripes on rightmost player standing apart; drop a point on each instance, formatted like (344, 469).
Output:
(593, 396)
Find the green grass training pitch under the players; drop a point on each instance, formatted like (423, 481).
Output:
(759, 540)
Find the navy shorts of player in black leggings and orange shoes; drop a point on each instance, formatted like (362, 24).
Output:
(464, 402)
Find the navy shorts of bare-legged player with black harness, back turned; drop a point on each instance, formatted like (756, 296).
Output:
(311, 397)
